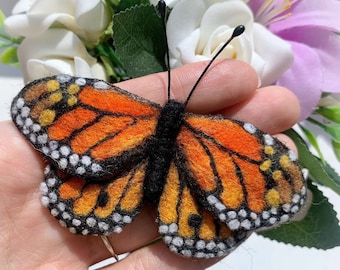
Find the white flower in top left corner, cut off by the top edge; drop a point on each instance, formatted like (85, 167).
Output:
(88, 19)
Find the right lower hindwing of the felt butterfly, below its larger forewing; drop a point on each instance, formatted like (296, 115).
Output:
(188, 228)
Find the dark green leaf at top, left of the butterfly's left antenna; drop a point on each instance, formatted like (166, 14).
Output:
(139, 41)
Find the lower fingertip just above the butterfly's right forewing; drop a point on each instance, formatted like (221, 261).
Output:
(272, 109)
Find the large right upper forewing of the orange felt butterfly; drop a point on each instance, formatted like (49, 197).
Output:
(245, 177)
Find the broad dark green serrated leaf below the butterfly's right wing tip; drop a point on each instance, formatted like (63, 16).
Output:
(319, 229)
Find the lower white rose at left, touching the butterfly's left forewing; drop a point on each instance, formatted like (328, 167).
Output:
(57, 51)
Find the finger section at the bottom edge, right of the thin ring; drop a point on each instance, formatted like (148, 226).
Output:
(158, 256)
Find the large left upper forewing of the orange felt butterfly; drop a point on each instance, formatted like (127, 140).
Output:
(82, 125)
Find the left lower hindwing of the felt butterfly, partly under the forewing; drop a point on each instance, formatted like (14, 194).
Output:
(96, 208)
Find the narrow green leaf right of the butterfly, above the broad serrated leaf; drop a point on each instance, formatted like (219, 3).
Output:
(317, 170)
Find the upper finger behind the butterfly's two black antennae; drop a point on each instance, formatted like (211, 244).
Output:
(226, 83)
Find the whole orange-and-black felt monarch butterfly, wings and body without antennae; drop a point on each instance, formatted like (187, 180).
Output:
(214, 179)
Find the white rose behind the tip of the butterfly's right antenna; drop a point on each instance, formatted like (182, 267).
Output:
(197, 30)
